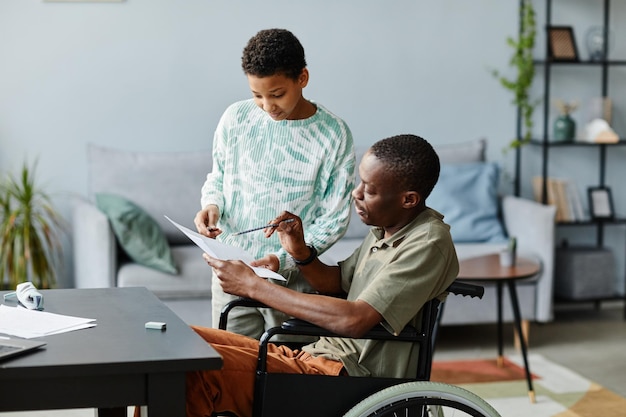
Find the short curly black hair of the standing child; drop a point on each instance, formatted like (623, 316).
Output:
(271, 52)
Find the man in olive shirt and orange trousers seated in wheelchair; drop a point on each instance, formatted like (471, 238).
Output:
(406, 260)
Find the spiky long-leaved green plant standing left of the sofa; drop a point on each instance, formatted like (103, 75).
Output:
(30, 246)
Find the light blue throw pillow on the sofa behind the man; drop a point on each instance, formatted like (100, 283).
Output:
(467, 196)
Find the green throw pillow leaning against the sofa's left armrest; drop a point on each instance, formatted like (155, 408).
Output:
(137, 232)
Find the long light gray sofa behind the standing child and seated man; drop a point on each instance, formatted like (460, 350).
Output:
(169, 184)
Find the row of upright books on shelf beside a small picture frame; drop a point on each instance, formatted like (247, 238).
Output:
(563, 194)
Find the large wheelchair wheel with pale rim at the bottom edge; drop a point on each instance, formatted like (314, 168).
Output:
(423, 398)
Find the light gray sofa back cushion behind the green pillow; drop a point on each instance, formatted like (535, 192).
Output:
(162, 183)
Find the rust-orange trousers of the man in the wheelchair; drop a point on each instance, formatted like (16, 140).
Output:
(231, 388)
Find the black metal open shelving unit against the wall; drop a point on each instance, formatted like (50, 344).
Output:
(546, 145)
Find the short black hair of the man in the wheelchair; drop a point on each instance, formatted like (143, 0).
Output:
(411, 160)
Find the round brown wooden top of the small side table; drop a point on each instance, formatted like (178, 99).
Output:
(487, 267)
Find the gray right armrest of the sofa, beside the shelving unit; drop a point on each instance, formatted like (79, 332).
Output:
(532, 224)
